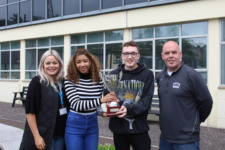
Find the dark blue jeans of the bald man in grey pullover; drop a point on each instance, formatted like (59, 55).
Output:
(164, 145)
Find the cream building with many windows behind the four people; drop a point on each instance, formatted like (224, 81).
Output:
(30, 27)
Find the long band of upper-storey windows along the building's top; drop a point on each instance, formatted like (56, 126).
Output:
(25, 12)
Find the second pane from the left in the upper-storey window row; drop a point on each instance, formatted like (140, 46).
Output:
(12, 14)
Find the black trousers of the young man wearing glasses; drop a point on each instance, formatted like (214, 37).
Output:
(140, 141)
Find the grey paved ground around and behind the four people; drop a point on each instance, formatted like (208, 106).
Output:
(14, 117)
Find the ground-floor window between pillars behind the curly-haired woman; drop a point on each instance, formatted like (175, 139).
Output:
(107, 46)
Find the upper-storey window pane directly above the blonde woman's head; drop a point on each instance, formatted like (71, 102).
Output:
(54, 8)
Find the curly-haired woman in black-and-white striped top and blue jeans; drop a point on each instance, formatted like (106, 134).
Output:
(84, 89)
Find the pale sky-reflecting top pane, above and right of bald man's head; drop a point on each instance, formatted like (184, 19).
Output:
(197, 28)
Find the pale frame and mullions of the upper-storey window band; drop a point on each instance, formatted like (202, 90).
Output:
(123, 7)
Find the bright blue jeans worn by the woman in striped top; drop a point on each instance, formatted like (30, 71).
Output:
(81, 132)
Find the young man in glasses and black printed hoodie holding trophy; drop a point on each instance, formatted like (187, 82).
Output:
(134, 91)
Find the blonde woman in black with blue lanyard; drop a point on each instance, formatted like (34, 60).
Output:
(46, 106)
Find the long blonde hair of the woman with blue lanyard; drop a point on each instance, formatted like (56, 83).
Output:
(43, 75)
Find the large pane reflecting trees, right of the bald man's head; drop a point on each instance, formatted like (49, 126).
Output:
(194, 52)
